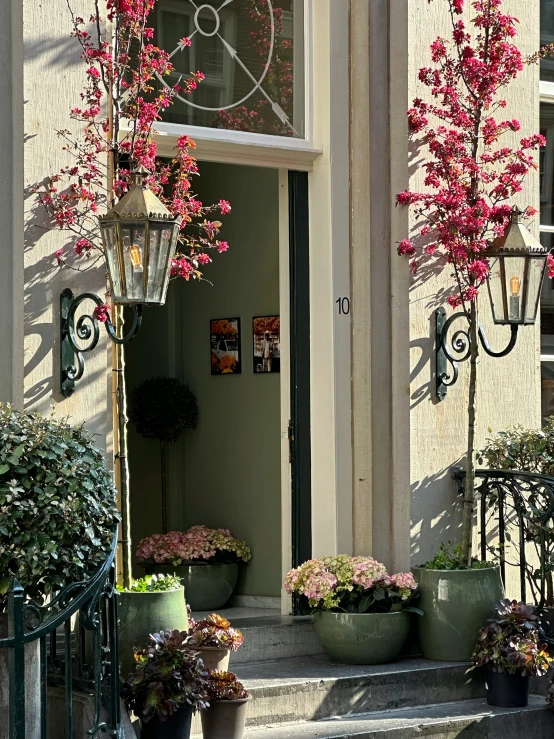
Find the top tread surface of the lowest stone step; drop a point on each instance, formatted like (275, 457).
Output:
(456, 713)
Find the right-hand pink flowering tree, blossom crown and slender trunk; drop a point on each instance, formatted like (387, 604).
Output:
(471, 175)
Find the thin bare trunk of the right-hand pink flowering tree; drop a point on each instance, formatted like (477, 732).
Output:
(469, 493)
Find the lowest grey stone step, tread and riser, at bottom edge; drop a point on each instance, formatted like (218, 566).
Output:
(464, 719)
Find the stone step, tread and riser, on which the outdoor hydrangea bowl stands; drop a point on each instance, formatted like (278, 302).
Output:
(314, 688)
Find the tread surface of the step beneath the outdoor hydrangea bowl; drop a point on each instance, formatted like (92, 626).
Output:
(320, 669)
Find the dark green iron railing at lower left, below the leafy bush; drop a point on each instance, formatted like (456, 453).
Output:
(77, 649)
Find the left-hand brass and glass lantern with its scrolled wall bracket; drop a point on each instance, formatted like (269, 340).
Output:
(139, 237)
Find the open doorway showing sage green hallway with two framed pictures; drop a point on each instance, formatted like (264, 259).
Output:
(233, 471)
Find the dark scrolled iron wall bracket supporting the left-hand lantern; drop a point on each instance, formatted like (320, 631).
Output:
(86, 329)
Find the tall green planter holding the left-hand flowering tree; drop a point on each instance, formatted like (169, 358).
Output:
(142, 614)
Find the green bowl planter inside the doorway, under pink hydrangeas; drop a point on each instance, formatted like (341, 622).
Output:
(207, 587)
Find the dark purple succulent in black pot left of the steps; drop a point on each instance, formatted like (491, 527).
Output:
(169, 683)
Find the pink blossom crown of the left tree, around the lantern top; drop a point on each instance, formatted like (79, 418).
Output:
(116, 113)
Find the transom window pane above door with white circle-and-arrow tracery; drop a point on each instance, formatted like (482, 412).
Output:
(252, 55)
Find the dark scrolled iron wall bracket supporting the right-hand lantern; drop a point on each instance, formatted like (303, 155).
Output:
(450, 351)
